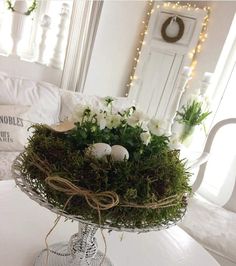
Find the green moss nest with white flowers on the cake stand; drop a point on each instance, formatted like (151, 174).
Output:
(152, 173)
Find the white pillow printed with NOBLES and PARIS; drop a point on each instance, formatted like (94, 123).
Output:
(14, 126)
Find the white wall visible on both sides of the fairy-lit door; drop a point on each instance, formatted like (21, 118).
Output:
(117, 39)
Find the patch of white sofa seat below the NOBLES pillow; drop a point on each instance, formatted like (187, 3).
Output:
(6, 160)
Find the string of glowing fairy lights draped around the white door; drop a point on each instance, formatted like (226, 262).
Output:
(144, 32)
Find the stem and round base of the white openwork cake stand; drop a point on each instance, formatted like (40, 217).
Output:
(81, 250)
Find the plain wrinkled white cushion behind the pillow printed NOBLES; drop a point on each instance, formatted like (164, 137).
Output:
(42, 96)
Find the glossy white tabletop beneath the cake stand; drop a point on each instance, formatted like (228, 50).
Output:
(24, 225)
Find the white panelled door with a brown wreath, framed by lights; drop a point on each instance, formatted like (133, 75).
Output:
(161, 62)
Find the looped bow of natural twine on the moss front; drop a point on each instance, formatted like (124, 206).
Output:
(99, 201)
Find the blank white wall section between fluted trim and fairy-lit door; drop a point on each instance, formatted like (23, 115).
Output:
(114, 47)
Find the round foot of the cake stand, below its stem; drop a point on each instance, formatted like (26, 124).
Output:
(58, 256)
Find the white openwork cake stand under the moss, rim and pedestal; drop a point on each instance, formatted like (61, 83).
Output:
(82, 247)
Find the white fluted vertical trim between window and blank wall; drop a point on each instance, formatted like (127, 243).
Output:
(83, 27)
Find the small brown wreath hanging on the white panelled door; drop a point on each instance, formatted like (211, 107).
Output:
(180, 33)
